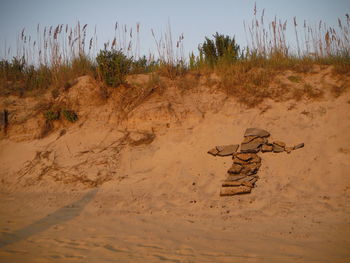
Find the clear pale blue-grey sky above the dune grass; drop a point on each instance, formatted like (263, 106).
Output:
(194, 18)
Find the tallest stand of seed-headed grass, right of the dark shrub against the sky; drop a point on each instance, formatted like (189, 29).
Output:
(266, 39)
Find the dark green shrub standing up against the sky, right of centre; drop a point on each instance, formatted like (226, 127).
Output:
(221, 48)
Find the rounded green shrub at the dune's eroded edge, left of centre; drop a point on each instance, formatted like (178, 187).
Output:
(113, 66)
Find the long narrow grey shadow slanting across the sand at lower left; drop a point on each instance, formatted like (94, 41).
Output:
(61, 215)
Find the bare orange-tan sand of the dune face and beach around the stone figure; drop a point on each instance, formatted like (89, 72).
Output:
(159, 201)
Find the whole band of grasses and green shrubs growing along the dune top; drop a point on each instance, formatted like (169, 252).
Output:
(61, 54)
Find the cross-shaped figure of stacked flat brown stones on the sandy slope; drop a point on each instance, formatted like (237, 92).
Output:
(242, 175)
